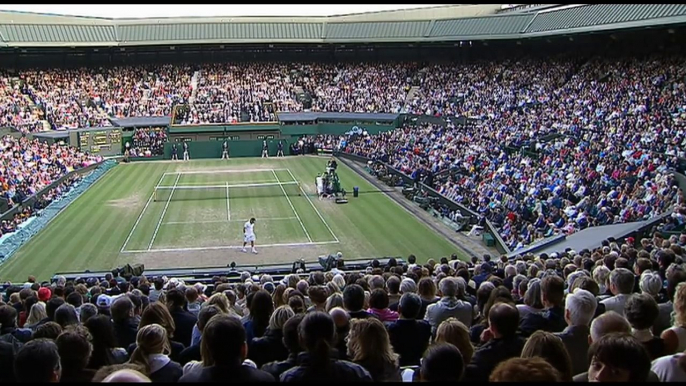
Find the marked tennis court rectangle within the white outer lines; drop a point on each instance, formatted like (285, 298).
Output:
(204, 210)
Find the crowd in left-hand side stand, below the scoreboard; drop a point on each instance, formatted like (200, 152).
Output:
(28, 166)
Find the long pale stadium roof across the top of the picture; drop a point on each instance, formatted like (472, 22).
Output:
(450, 23)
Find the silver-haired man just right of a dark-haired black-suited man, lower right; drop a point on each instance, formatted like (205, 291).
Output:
(580, 306)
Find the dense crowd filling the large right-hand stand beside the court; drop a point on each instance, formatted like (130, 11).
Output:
(619, 125)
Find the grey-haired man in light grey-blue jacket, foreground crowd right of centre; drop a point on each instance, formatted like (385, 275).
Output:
(449, 305)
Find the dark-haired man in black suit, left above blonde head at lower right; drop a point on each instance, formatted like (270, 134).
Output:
(502, 343)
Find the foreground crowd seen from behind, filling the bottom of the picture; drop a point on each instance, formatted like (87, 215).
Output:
(615, 313)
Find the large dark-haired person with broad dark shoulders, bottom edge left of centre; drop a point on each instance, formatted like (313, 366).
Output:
(224, 339)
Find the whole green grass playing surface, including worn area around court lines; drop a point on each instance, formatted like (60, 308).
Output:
(190, 214)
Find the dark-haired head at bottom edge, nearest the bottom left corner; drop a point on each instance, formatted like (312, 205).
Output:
(38, 361)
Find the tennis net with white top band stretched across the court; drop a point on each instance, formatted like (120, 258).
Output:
(226, 191)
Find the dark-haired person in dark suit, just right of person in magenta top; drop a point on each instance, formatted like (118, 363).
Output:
(409, 336)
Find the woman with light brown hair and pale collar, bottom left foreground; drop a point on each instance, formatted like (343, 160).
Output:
(152, 346)
